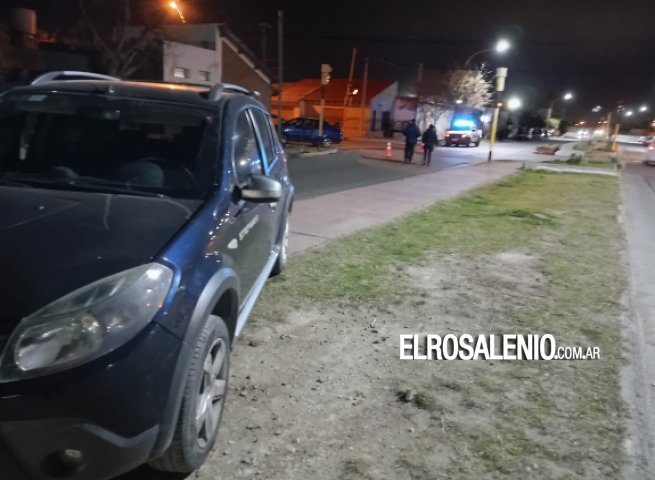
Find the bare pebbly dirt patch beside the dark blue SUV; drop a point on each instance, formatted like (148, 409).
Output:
(320, 392)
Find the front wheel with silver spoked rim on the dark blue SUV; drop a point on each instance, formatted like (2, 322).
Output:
(204, 397)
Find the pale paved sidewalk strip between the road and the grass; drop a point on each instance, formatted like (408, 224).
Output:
(319, 219)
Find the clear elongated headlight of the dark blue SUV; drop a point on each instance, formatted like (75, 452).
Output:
(86, 324)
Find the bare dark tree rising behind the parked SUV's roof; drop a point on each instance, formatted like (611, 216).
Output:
(124, 48)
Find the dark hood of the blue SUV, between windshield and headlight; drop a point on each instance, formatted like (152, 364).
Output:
(53, 242)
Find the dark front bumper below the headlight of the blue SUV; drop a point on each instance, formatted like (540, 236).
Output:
(109, 413)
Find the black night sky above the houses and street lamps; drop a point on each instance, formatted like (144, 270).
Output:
(603, 51)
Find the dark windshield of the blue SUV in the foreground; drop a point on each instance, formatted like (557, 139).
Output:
(103, 143)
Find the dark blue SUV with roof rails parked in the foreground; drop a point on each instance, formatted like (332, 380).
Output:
(139, 223)
